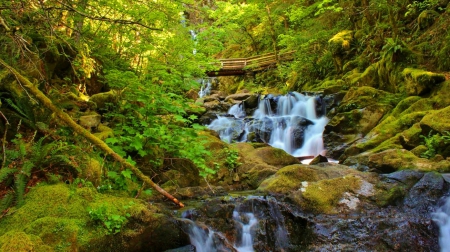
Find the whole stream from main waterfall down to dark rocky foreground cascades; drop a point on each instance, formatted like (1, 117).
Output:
(251, 221)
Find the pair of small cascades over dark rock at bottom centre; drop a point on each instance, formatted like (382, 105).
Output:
(257, 222)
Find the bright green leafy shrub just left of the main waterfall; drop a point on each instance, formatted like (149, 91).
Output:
(154, 117)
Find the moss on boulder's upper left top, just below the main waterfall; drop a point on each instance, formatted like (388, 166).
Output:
(288, 179)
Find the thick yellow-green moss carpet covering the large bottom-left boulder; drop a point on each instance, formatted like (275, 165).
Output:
(59, 216)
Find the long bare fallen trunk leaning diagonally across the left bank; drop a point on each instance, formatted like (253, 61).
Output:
(82, 131)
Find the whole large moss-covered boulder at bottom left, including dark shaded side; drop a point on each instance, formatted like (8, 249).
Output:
(70, 218)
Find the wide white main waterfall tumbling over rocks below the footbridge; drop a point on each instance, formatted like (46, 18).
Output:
(288, 122)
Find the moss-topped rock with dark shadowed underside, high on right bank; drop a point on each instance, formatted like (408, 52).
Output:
(419, 82)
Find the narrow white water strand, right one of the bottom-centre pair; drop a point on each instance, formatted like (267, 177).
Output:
(245, 224)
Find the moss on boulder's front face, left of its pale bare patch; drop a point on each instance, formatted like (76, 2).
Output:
(324, 195)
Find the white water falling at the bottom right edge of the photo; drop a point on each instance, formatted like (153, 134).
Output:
(442, 218)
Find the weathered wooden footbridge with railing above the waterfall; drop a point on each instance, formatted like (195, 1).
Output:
(241, 66)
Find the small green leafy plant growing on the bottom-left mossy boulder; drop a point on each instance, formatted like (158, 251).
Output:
(112, 222)
